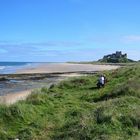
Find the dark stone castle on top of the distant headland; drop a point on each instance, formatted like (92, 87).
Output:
(118, 54)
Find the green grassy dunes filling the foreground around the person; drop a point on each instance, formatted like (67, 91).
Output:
(75, 109)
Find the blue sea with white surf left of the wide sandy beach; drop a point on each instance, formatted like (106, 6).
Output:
(12, 67)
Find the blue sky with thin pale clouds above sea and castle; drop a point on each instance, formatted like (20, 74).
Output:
(68, 30)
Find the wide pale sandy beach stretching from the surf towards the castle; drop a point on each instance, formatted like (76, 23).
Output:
(65, 67)
